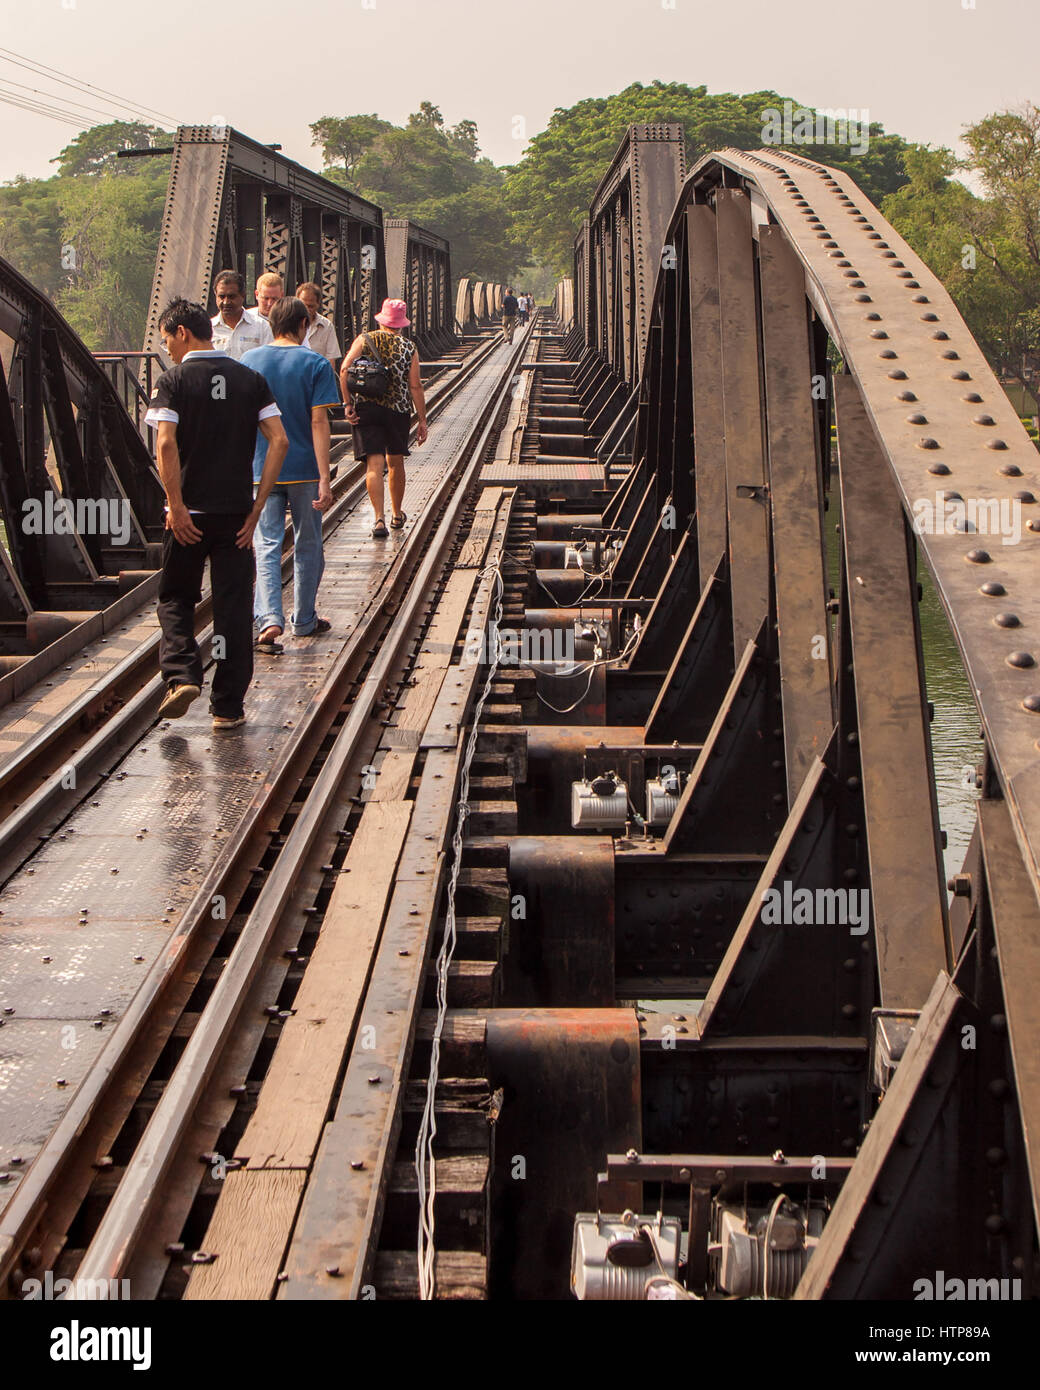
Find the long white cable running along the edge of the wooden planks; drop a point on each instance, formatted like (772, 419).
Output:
(428, 1128)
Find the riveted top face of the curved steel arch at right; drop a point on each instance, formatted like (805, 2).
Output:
(918, 359)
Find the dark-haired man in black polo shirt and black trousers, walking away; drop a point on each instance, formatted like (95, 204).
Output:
(206, 411)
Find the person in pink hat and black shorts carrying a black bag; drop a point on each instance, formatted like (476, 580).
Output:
(382, 423)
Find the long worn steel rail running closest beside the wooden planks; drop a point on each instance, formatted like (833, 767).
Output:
(117, 1235)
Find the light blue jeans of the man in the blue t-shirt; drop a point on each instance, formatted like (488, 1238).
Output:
(308, 558)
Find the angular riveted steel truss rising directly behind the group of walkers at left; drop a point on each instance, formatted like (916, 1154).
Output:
(237, 205)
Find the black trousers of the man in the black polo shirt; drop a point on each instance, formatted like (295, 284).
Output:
(180, 590)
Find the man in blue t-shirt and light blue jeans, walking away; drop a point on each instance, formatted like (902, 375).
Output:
(305, 390)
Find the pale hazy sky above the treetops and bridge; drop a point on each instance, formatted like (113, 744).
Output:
(921, 67)
